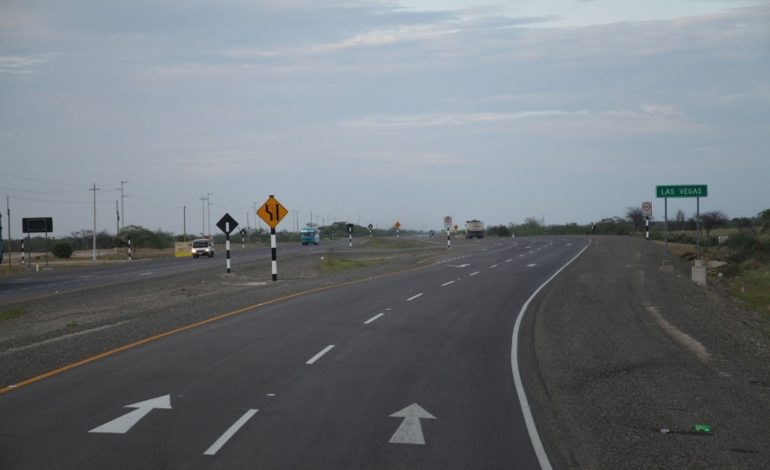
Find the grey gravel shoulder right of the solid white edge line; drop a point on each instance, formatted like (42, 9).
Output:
(624, 351)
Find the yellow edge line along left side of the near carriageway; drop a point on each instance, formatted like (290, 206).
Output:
(191, 326)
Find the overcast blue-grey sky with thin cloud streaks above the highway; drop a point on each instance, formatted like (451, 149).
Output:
(374, 111)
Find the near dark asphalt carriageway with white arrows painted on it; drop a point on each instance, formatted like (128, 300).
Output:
(412, 370)
